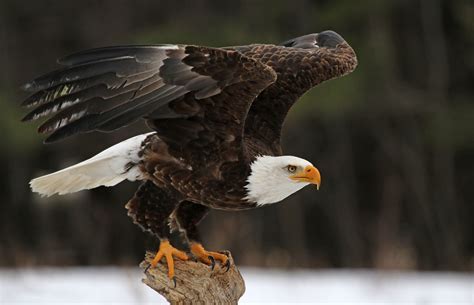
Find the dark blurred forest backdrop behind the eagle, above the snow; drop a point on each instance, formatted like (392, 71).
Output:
(394, 140)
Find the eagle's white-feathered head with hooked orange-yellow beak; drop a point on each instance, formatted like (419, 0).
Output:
(272, 179)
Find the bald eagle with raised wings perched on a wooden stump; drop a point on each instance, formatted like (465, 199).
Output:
(216, 116)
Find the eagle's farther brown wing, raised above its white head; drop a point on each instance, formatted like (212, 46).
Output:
(300, 63)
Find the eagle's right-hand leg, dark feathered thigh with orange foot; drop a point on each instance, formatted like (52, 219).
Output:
(188, 216)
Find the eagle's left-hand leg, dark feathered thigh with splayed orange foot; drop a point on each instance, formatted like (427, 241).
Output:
(150, 208)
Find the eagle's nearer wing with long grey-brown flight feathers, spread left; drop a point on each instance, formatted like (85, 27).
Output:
(195, 97)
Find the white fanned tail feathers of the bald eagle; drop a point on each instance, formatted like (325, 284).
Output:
(108, 168)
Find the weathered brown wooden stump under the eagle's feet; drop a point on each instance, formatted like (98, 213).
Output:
(195, 282)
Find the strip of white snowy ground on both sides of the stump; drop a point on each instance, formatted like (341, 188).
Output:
(123, 286)
